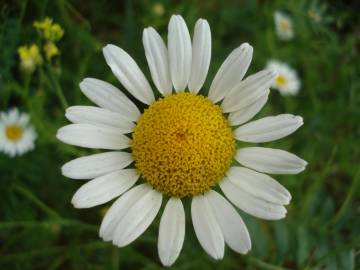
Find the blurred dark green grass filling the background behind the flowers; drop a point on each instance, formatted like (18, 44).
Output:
(39, 229)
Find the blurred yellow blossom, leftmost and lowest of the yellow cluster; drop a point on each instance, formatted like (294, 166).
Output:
(29, 57)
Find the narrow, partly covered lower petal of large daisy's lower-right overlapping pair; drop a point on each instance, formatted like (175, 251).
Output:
(251, 204)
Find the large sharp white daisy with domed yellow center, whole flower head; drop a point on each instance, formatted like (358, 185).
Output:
(181, 146)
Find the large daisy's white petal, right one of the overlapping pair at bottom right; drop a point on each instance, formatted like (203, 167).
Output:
(233, 227)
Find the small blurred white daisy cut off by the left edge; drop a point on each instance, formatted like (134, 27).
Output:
(17, 135)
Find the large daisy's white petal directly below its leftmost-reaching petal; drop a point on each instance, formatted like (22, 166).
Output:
(96, 165)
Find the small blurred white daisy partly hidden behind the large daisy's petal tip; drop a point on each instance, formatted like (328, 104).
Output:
(287, 80)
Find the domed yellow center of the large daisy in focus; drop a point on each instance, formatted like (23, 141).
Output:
(182, 145)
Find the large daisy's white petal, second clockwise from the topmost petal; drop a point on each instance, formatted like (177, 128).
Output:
(231, 72)
